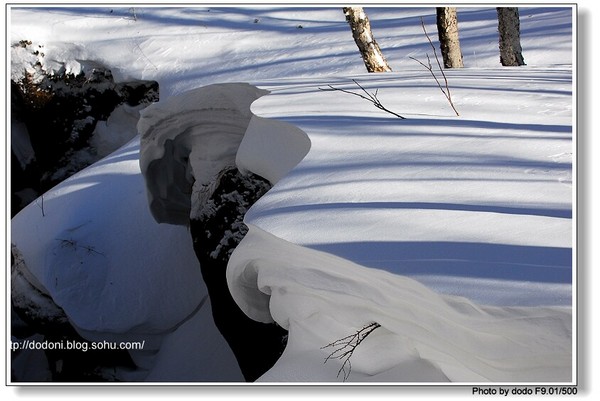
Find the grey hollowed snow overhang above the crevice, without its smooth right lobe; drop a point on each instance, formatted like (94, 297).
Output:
(187, 140)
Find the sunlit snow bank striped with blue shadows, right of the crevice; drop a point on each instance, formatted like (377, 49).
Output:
(478, 206)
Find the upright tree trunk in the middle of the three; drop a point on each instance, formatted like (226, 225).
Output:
(447, 24)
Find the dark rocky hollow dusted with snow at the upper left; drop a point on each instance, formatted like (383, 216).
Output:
(54, 118)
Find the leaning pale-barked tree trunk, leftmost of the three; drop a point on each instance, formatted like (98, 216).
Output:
(361, 31)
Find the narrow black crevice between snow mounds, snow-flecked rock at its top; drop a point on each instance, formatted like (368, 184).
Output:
(217, 230)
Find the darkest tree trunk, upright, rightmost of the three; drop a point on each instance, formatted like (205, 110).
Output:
(510, 36)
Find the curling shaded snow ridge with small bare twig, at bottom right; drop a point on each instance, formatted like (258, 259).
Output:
(321, 298)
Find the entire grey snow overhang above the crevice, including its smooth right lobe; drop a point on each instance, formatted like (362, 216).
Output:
(188, 139)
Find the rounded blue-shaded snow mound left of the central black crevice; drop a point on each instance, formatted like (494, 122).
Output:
(93, 245)
